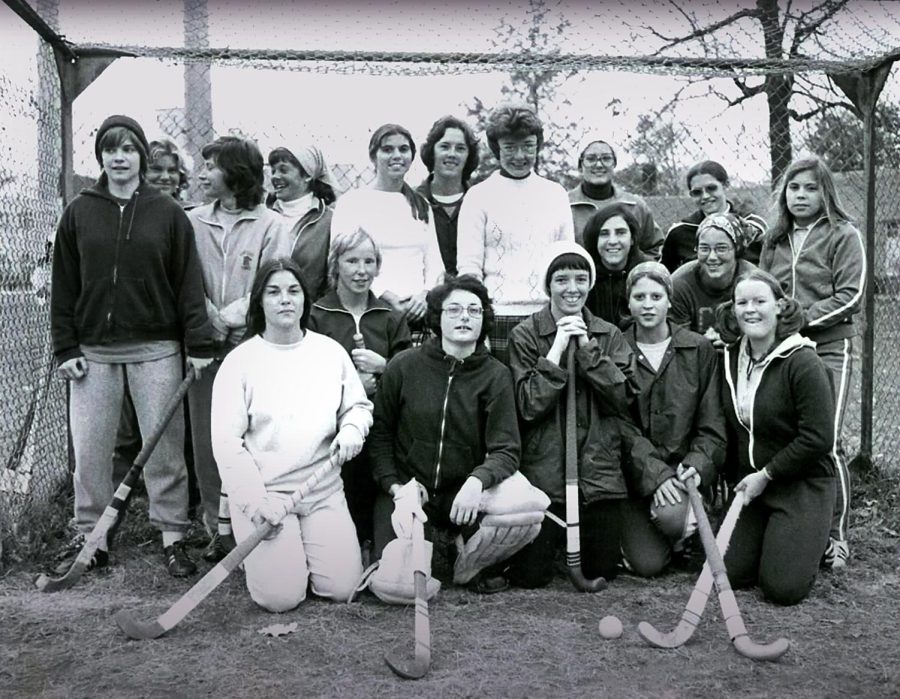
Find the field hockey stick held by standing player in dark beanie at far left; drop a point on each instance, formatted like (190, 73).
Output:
(110, 517)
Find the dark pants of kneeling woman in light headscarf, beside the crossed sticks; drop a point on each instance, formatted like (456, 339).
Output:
(647, 542)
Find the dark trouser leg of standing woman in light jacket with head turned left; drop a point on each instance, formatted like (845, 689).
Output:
(209, 483)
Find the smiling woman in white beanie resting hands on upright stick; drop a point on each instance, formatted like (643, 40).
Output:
(605, 387)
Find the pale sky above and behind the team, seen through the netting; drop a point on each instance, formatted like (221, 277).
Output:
(338, 112)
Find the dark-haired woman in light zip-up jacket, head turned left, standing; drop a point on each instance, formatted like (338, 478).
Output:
(236, 234)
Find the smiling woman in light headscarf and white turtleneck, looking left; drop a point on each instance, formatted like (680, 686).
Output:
(305, 192)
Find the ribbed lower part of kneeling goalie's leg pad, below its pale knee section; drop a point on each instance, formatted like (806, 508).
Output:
(497, 538)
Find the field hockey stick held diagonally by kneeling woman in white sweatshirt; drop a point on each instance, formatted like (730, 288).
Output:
(144, 630)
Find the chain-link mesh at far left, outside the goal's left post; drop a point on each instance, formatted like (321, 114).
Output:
(33, 463)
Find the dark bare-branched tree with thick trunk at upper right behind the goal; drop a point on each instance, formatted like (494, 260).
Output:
(785, 31)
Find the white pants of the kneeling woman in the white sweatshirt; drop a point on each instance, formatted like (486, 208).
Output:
(316, 546)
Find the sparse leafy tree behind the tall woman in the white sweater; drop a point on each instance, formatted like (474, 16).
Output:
(539, 88)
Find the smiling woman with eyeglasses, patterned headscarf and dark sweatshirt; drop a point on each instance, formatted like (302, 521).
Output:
(699, 286)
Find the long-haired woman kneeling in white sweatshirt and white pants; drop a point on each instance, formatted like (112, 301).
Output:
(284, 402)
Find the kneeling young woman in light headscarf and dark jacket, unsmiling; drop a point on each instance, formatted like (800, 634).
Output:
(679, 410)
